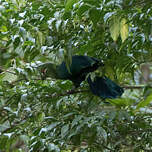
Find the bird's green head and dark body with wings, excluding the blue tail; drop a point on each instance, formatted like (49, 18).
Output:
(79, 68)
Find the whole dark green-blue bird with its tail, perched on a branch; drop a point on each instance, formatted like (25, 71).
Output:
(78, 70)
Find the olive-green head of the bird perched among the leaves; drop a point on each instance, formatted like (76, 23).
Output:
(47, 70)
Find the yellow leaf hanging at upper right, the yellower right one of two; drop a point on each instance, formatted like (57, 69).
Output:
(124, 29)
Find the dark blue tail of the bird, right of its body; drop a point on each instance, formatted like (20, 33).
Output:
(104, 87)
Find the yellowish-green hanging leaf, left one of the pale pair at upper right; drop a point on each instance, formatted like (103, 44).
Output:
(114, 27)
